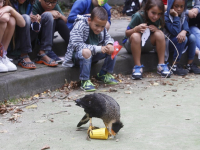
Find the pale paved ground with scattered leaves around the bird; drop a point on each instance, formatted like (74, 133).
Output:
(157, 115)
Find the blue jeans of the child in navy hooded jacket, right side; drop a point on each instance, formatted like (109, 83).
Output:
(190, 41)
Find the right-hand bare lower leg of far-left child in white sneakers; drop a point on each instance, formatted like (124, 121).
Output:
(8, 32)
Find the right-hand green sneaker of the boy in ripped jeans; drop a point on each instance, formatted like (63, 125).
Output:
(107, 78)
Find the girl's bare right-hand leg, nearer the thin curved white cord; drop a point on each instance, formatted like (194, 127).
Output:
(158, 39)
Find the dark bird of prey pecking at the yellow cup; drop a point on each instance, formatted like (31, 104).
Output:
(101, 106)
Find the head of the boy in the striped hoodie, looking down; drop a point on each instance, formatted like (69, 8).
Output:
(98, 19)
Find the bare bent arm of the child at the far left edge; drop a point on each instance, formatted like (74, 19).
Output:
(19, 19)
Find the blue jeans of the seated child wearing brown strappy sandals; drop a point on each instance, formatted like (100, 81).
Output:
(25, 35)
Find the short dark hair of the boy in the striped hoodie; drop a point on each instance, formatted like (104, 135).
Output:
(100, 13)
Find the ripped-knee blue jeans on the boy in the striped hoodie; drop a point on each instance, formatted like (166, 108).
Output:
(85, 64)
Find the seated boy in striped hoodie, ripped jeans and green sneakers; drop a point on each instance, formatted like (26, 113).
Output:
(90, 42)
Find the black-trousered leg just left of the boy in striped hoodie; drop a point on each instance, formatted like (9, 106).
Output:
(61, 27)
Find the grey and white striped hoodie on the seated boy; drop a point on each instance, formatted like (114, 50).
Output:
(78, 37)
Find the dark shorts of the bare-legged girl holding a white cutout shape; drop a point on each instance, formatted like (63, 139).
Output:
(148, 47)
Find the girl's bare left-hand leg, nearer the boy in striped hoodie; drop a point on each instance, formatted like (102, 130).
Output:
(135, 40)
